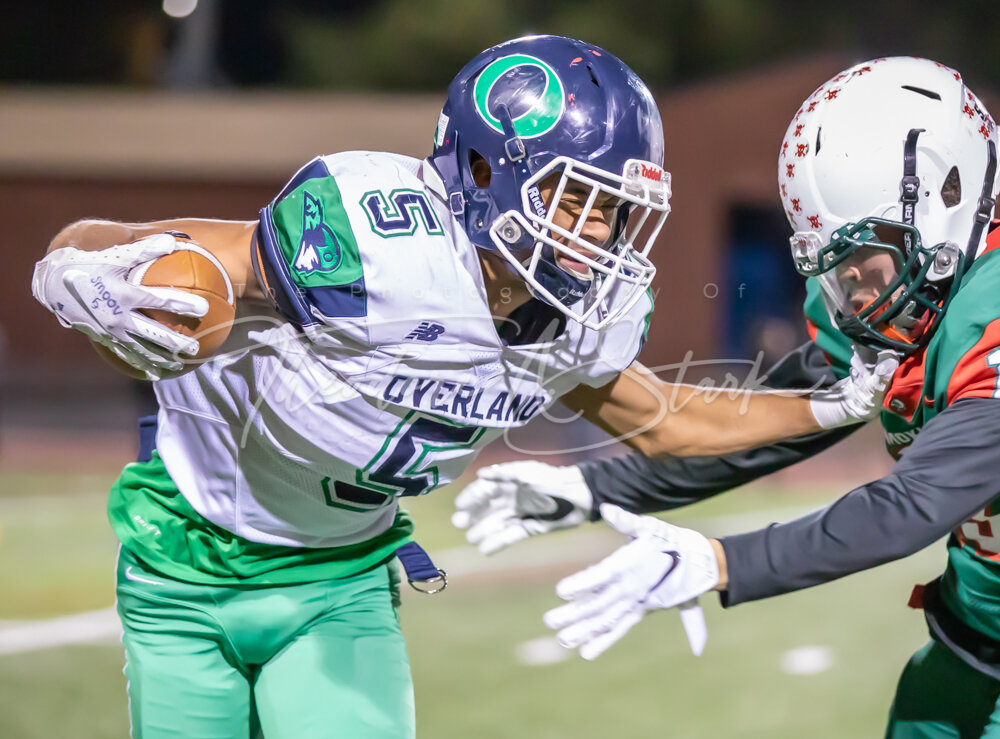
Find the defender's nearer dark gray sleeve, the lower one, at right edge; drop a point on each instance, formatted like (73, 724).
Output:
(951, 471)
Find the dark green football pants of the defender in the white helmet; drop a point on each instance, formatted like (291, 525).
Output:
(941, 696)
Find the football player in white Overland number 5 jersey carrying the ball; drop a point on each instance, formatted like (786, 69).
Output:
(393, 317)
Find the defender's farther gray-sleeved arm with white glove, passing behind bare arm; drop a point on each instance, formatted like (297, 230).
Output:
(512, 501)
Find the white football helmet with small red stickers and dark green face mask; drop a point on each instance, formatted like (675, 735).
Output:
(888, 176)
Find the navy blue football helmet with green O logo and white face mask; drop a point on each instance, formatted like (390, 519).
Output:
(547, 105)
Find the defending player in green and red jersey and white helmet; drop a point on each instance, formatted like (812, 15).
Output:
(888, 174)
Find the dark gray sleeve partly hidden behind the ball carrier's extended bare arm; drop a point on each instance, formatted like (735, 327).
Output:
(644, 485)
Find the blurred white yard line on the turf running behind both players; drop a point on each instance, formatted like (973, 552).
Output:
(578, 548)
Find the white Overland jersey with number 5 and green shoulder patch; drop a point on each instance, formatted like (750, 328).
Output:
(396, 377)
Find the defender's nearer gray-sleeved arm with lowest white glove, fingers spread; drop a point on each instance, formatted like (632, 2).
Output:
(947, 475)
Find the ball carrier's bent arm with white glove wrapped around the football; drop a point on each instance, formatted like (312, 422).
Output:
(84, 281)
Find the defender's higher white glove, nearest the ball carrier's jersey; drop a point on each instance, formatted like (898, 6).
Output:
(512, 501)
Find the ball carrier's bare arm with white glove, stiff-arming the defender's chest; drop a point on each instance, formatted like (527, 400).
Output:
(661, 419)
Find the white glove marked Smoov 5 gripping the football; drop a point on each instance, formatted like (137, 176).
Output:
(91, 292)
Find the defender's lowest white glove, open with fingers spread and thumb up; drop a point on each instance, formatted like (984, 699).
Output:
(662, 567)
